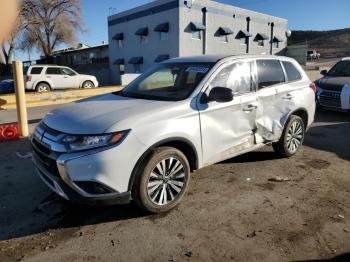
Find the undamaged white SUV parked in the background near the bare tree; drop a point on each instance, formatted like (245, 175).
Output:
(43, 78)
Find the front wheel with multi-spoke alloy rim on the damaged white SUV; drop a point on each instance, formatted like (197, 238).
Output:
(142, 188)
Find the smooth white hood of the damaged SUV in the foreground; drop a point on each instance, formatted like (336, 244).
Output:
(97, 114)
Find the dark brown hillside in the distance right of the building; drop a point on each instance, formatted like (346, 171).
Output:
(329, 43)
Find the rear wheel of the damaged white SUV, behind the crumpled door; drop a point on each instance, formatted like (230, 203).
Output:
(284, 147)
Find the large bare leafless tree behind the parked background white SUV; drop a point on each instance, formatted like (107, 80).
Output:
(48, 23)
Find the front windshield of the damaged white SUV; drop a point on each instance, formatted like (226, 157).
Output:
(168, 82)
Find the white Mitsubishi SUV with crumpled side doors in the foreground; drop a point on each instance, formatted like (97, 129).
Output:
(143, 142)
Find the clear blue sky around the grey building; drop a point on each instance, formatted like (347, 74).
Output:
(301, 14)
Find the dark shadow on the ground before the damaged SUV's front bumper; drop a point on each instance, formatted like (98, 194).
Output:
(28, 207)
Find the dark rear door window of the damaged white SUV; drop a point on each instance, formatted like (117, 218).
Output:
(270, 73)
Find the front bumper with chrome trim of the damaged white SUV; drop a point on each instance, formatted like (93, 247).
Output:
(99, 176)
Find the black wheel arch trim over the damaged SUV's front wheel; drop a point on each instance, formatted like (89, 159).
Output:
(180, 143)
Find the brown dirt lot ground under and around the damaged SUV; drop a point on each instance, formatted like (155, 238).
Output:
(232, 211)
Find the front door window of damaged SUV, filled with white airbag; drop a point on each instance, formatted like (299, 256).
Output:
(236, 76)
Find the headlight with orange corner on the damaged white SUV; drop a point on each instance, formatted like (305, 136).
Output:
(83, 142)
